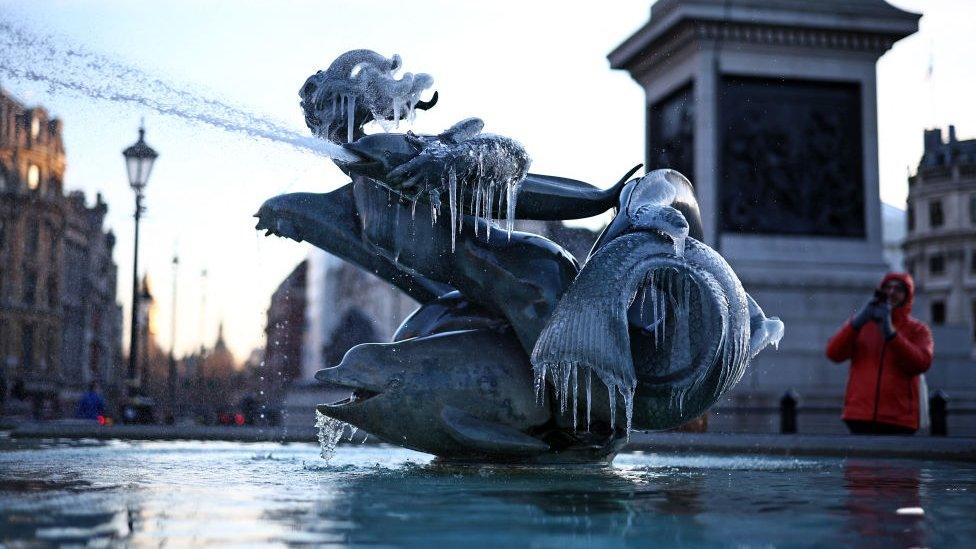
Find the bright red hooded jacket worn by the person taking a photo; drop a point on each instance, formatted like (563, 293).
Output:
(882, 385)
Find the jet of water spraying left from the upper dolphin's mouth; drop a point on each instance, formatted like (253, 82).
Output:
(68, 68)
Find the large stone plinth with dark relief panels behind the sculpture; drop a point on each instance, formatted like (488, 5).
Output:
(770, 108)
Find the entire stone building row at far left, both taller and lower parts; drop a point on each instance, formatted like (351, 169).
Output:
(59, 322)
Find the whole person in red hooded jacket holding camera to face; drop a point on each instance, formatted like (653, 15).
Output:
(888, 350)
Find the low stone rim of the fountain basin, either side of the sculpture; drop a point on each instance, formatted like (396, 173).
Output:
(916, 447)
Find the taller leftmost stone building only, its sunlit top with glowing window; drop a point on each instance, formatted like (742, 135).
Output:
(32, 220)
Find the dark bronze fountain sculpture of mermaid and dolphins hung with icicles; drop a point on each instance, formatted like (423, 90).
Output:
(519, 352)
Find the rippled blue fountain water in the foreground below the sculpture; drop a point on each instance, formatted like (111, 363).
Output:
(177, 493)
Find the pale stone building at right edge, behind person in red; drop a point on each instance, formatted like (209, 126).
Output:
(940, 250)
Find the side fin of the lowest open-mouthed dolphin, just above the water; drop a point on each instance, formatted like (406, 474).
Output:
(488, 436)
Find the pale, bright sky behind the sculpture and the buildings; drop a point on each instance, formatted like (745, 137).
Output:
(534, 71)
